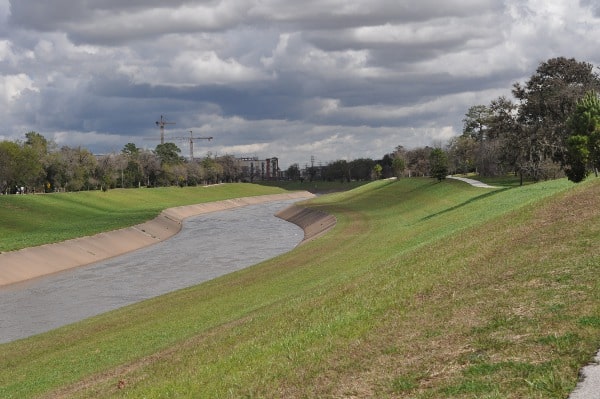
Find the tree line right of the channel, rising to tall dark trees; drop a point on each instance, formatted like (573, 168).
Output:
(551, 128)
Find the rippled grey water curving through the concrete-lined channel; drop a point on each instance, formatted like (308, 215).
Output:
(208, 246)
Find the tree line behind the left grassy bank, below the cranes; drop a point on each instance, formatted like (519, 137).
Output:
(39, 165)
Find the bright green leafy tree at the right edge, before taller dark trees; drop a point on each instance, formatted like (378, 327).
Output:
(583, 146)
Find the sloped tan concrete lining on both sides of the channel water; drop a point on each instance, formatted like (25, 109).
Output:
(28, 263)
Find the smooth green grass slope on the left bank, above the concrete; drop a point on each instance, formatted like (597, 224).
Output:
(31, 220)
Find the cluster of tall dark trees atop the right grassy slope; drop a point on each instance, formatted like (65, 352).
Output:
(549, 129)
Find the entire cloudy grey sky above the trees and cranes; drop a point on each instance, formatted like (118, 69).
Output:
(332, 79)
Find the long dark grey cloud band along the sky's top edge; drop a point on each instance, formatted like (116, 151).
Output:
(112, 22)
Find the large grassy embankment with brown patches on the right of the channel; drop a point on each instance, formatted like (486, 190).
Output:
(422, 290)
